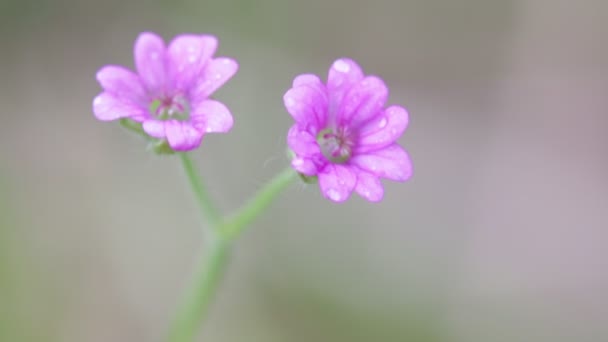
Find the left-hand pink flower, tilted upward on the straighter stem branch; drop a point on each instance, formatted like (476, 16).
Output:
(169, 94)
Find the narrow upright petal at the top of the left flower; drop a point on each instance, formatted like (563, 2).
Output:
(150, 61)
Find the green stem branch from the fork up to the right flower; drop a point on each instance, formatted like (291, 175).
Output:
(235, 225)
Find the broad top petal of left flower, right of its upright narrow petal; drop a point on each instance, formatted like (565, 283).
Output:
(187, 55)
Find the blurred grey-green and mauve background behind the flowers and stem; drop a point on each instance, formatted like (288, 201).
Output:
(501, 235)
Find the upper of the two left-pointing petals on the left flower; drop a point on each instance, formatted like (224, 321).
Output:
(122, 83)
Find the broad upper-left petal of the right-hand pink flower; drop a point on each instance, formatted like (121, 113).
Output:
(308, 106)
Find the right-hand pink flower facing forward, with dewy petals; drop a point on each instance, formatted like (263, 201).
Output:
(344, 135)
